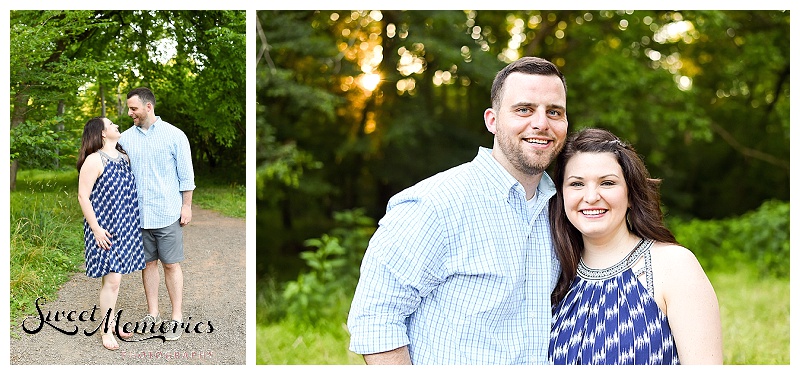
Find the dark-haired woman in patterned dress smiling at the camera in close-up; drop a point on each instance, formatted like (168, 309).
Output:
(628, 292)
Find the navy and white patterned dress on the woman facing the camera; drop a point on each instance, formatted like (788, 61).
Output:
(609, 317)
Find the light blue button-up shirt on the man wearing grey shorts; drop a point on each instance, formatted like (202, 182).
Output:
(162, 165)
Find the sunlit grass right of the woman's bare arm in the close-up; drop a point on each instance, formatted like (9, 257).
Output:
(755, 318)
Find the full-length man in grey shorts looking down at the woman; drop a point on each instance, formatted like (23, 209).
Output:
(161, 161)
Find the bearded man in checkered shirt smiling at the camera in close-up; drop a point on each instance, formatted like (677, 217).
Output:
(461, 267)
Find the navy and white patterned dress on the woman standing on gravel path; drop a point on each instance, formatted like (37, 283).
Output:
(116, 207)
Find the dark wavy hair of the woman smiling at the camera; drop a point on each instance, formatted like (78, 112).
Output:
(645, 217)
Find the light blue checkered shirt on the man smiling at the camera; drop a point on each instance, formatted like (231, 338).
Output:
(460, 269)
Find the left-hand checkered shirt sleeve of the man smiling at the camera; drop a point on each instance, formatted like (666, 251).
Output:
(404, 262)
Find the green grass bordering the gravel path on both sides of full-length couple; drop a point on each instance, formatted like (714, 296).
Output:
(46, 225)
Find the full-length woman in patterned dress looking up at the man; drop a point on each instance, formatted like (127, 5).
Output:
(109, 201)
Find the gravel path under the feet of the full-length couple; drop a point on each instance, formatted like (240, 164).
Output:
(214, 295)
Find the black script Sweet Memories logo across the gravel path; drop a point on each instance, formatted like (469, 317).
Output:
(67, 322)
